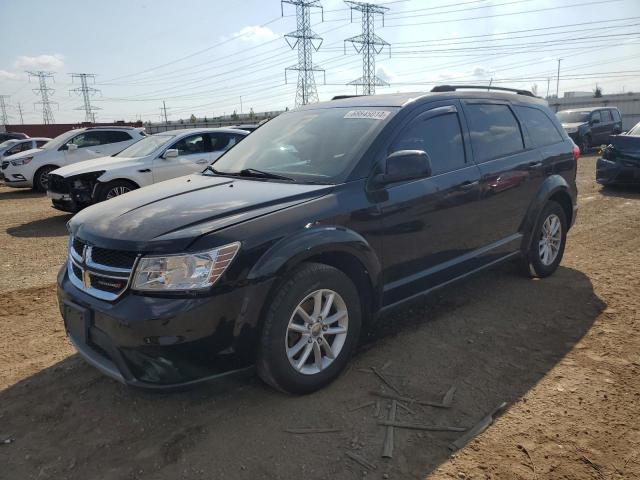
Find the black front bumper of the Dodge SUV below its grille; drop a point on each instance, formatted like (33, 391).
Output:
(165, 342)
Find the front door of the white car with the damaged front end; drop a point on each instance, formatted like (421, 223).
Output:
(194, 152)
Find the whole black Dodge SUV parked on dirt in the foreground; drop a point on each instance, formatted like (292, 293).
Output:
(294, 240)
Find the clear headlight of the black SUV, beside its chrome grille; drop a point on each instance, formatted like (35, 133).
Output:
(183, 272)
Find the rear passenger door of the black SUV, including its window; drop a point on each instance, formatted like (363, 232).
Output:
(511, 172)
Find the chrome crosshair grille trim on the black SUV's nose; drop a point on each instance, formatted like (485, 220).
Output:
(94, 271)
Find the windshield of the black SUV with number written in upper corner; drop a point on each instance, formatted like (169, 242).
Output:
(319, 146)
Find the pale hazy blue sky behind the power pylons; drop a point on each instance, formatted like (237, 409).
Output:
(213, 57)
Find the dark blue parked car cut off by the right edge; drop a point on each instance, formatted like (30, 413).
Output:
(620, 161)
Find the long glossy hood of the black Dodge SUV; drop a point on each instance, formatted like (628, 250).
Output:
(168, 216)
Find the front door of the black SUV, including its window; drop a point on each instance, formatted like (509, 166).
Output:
(428, 224)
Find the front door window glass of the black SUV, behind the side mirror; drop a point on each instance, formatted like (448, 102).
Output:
(440, 137)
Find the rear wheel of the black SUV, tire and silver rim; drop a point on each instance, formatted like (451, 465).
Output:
(547, 242)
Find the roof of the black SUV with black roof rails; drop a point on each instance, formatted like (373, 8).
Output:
(407, 98)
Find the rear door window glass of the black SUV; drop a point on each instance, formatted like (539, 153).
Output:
(494, 130)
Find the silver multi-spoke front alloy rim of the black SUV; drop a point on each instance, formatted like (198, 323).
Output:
(317, 331)
